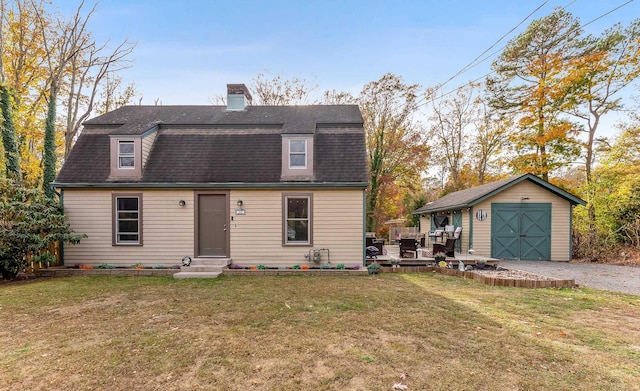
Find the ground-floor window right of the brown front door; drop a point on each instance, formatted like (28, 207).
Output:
(297, 219)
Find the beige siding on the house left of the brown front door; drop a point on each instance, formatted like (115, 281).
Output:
(167, 228)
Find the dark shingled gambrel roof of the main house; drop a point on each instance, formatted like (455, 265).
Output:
(208, 144)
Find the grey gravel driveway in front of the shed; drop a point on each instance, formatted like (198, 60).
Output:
(623, 279)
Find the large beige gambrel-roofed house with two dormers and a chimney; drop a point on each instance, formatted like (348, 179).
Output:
(271, 185)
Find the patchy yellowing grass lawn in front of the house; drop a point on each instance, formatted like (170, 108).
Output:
(310, 333)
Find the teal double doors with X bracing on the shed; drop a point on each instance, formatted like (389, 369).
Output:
(521, 231)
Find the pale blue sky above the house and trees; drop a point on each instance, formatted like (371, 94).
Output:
(187, 51)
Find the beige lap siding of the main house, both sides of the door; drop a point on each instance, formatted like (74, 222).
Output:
(255, 238)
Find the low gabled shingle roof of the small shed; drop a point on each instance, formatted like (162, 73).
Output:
(469, 197)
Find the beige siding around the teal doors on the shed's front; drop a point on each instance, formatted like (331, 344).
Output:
(560, 218)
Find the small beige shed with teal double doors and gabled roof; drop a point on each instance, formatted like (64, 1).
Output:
(521, 217)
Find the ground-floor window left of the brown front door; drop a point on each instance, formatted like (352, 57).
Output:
(127, 219)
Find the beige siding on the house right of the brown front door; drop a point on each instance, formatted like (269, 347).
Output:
(256, 237)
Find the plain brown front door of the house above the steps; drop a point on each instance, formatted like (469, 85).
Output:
(212, 232)
